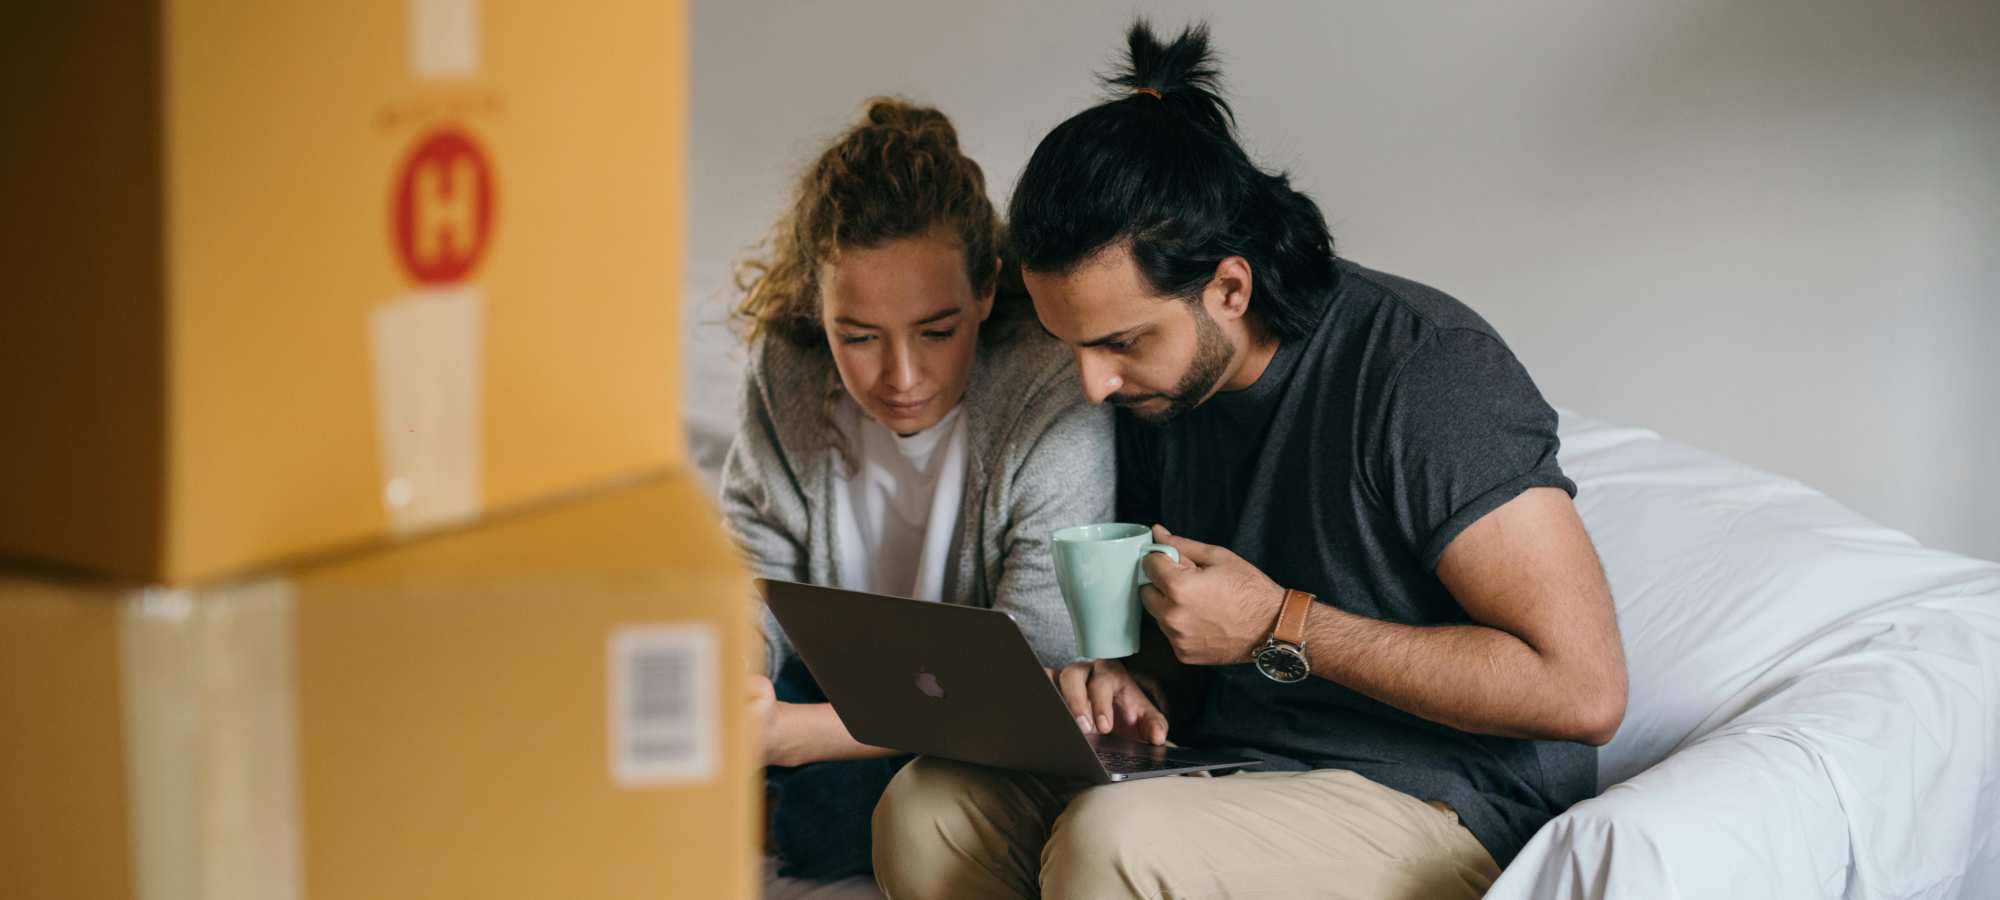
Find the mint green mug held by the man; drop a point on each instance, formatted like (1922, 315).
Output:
(1099, 573)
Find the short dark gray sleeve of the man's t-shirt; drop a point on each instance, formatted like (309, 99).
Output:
(1463, 431)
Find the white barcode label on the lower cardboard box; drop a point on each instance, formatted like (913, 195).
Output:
(663, 703)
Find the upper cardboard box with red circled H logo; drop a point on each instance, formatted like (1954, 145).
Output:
(295, 277)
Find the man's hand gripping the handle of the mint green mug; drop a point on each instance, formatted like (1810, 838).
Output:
(1215, 607)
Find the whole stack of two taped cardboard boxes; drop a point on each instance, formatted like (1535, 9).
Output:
(345, 553)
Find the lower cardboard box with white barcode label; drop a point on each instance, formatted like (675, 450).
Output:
(549, 705)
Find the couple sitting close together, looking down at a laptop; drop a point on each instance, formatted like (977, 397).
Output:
(1349, 449)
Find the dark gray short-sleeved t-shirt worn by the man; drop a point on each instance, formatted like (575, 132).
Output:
(1345, 471)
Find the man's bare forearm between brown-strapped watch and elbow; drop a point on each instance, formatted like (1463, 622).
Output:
(1469, 677)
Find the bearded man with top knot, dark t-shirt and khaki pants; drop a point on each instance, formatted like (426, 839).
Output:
(1383, 573)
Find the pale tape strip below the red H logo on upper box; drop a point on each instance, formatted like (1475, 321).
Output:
(429, 407)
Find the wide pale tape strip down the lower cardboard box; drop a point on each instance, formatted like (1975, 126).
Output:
(213, 743)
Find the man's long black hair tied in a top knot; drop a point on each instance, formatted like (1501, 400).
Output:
(1159, 167)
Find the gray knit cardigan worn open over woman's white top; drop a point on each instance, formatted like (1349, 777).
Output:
(1039, 459)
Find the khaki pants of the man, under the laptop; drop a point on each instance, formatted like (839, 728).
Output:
(971, 833)
